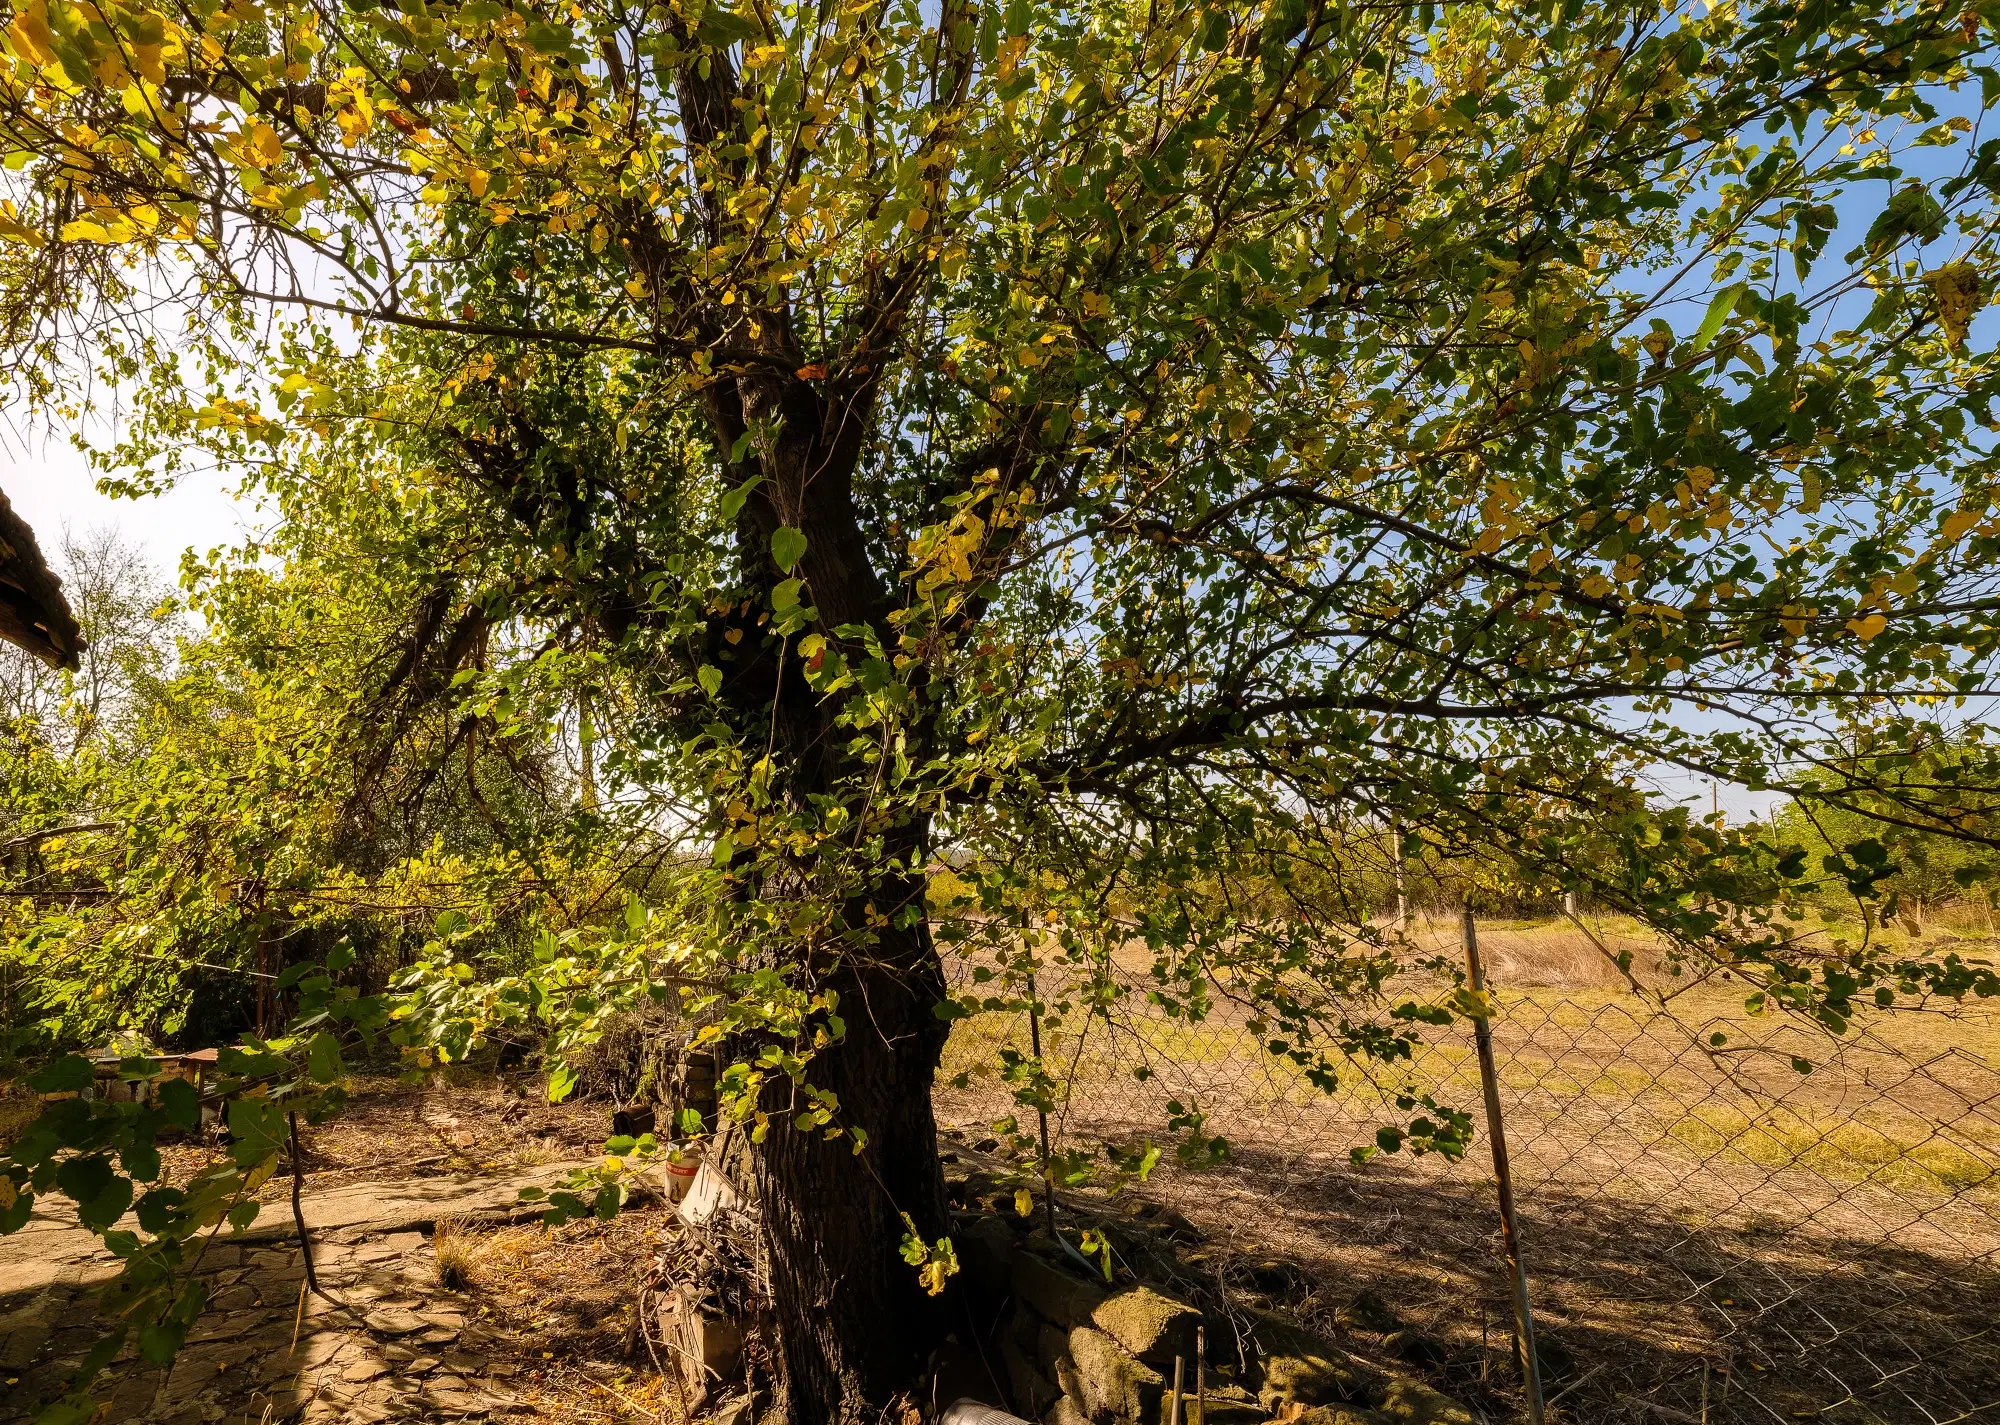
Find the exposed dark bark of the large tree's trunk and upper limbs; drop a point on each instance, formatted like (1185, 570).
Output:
(853, 1322)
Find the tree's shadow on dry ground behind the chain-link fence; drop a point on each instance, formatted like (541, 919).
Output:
(1647, 1312)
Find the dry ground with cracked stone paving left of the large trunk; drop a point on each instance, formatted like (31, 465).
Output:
(529, 1326)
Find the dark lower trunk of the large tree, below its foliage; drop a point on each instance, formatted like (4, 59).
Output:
(855, 1328)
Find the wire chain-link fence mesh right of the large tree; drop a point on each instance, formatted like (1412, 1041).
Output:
(1727, 1218)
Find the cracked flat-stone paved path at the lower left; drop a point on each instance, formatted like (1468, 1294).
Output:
(389, 1344)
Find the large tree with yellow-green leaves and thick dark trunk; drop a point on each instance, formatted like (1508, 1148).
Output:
(1153, 447)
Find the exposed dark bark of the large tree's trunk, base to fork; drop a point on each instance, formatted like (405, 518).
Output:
(853, 1322)
